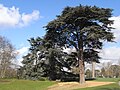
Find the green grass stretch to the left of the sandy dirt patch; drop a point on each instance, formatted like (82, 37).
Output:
(24, 84)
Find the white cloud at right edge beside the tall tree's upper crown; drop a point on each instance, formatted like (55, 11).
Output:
(116, 25)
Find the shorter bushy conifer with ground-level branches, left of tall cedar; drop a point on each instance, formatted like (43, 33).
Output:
(44, 60)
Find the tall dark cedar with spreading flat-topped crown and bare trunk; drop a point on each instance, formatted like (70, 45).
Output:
(82, 27)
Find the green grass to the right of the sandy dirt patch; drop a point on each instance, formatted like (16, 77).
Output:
(113, 86)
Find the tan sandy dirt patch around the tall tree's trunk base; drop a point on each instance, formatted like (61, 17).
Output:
(75, 85)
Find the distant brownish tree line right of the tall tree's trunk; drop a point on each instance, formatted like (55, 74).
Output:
(108, 70)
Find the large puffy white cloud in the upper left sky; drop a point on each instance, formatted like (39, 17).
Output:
(11, 17)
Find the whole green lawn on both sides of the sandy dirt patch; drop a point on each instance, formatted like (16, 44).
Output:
(13, 84)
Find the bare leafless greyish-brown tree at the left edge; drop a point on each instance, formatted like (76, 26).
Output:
(6, 56)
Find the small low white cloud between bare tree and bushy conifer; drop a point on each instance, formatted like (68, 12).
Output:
(21, 52)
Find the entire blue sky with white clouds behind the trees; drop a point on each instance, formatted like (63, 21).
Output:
(23, 19)
